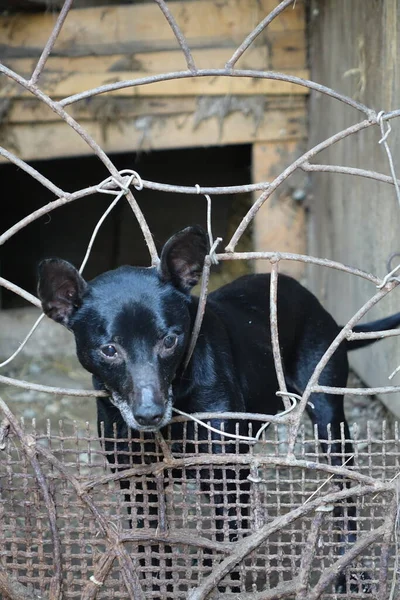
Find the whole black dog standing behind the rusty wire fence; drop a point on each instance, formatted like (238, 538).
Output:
(132, 327)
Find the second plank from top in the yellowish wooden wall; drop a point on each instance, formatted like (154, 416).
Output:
(283, 50)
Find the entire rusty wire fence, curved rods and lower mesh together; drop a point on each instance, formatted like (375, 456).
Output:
(66, 529)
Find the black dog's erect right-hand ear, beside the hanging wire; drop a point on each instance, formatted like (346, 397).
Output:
(182, 258)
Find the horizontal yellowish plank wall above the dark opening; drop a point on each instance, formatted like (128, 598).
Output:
(101, 45)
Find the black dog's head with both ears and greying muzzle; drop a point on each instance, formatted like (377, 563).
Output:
(131, 325)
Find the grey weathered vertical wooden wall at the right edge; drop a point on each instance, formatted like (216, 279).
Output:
(355, 50)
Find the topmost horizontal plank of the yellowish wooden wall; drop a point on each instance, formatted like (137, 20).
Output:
(130, 28)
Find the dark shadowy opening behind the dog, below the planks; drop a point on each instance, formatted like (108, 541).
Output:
(65, 232)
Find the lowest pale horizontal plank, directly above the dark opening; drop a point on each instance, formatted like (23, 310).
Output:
(51, 140)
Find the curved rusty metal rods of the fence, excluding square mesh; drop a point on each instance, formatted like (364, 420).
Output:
(234, 553)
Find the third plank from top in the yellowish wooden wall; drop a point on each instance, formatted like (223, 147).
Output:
(74, 83)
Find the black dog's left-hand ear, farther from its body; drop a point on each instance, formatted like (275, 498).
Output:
(60, 289)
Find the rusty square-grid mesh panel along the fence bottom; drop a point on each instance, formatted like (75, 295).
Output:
(168, 523)
